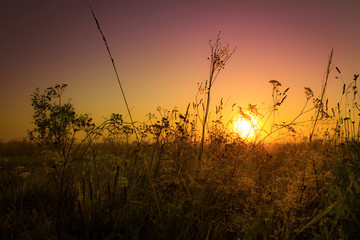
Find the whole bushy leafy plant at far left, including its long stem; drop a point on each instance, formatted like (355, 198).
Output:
(56, 125)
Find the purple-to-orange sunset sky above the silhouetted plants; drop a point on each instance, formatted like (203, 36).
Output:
(160, 49)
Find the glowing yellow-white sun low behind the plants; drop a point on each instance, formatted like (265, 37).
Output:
(245, 126)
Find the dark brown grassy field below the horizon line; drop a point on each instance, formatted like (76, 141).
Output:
(247, 192)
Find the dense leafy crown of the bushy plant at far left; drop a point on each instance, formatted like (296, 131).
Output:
(56, 123)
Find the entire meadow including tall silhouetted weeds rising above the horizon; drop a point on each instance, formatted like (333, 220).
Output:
(185, 175)
